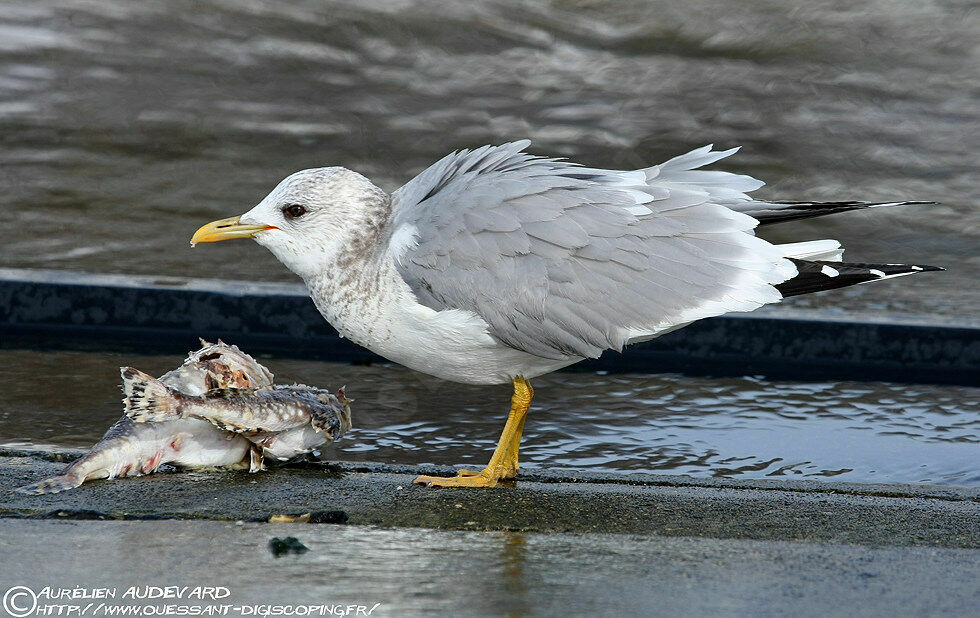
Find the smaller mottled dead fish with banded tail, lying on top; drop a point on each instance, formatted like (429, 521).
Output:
(254, 412)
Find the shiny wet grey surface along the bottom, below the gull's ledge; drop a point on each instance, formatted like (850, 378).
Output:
(413, 572)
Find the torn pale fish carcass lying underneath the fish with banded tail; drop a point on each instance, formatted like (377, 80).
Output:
(133, 449)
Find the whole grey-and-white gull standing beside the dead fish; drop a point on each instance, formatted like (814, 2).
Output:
(496, 266)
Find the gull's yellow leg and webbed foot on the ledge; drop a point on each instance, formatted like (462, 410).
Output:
(503, 463)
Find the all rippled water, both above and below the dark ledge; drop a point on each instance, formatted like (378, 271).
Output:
(126, 125)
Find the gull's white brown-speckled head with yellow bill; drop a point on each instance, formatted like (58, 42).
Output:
(310, 220)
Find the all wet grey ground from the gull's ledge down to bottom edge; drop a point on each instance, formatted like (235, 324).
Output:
(545, 547)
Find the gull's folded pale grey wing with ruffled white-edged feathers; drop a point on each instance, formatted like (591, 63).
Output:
(566, 261)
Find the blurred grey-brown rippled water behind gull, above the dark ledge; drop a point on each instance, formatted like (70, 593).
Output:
(125, 125)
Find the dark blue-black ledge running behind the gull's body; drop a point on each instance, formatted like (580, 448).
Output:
(77, 311)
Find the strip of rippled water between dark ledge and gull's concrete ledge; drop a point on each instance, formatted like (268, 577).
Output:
(746, 428)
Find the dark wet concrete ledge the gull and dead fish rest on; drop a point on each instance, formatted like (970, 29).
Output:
(542, 501)
